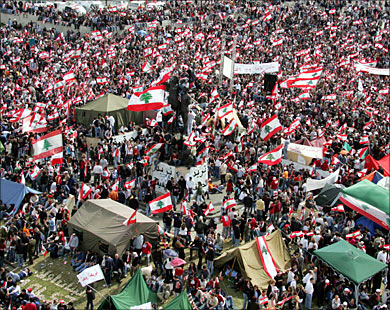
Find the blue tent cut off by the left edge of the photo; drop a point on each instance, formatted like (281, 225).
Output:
(13, 193)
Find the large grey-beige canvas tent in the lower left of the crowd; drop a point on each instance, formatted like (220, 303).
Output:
(98, 224)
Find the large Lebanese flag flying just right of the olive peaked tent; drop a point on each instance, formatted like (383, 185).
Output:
(150, 99)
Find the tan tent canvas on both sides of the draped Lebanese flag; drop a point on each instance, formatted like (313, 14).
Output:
(248, 259)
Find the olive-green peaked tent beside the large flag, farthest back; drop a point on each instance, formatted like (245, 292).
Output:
(108, 105)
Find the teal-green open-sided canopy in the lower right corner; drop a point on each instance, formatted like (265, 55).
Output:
(351, 262)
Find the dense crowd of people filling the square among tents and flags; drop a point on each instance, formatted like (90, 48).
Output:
(46, 74)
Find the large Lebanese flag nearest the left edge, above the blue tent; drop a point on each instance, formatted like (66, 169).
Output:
(47, 145)
